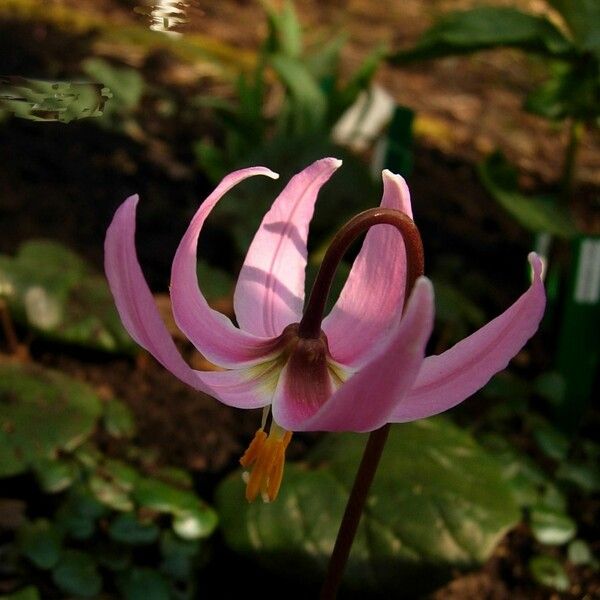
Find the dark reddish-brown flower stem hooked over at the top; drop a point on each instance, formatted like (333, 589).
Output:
(310, 327)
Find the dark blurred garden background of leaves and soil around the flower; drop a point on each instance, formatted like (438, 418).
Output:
(116, 480)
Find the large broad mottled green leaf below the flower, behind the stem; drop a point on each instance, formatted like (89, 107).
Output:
(438, 503)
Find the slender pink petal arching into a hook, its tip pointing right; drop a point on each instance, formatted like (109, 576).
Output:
(211, 332)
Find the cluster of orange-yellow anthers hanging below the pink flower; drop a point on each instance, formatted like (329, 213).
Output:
(266, 457)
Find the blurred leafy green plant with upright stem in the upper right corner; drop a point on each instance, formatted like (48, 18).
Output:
(570, 92)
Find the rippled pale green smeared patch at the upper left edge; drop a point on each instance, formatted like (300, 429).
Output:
(40, 100)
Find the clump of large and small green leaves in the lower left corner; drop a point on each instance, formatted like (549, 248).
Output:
(102, 524)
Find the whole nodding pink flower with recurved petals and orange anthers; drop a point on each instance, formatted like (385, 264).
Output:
(365, 367)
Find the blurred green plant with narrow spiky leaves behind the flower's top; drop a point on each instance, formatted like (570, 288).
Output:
(314, 96)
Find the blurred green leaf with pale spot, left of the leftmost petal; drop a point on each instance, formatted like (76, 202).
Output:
(54, 292)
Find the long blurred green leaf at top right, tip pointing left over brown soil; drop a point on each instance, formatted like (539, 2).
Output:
(487, 27)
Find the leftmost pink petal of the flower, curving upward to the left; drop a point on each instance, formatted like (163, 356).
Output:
(141, 318)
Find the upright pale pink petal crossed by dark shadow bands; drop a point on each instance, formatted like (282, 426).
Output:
(270, 290)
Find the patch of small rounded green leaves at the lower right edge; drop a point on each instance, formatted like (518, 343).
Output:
(570, 470)
